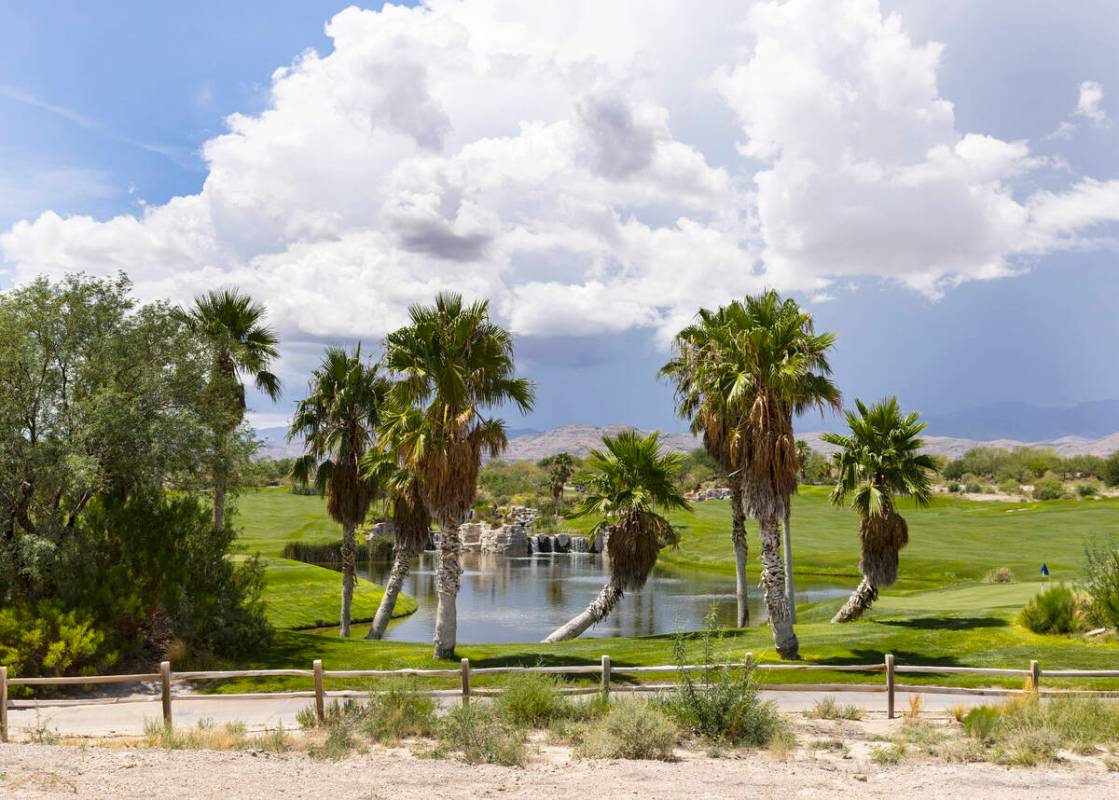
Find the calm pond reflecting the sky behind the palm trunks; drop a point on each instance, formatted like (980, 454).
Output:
(524, 599)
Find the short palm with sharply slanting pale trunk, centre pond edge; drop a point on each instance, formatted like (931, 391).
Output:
(631, 483)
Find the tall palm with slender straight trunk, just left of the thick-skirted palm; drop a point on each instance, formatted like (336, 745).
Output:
(699, 371)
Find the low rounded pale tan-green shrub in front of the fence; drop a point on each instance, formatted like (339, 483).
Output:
(633, 729)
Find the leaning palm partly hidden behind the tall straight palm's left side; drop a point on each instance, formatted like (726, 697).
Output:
(411, 524)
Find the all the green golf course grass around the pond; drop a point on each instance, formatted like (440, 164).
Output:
(941, 614)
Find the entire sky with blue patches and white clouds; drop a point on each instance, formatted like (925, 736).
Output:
(938, 183)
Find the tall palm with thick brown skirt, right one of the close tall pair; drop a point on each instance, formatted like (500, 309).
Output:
(778, 368)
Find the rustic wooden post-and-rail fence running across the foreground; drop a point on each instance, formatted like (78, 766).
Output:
(606, 671)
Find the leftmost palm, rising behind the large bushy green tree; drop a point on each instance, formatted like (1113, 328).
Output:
(240, 345)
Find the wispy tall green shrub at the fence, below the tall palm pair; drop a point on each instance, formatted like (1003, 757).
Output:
(720, 704)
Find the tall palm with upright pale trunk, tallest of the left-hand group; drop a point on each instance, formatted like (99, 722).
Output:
(454, 363)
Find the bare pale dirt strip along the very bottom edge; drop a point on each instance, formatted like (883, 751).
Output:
(49, 771)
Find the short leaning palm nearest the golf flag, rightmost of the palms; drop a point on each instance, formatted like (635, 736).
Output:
(878, 462)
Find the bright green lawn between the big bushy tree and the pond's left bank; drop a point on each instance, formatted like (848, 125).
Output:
(300, 596)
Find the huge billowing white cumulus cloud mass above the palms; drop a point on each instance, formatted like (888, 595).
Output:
(590, 167)
